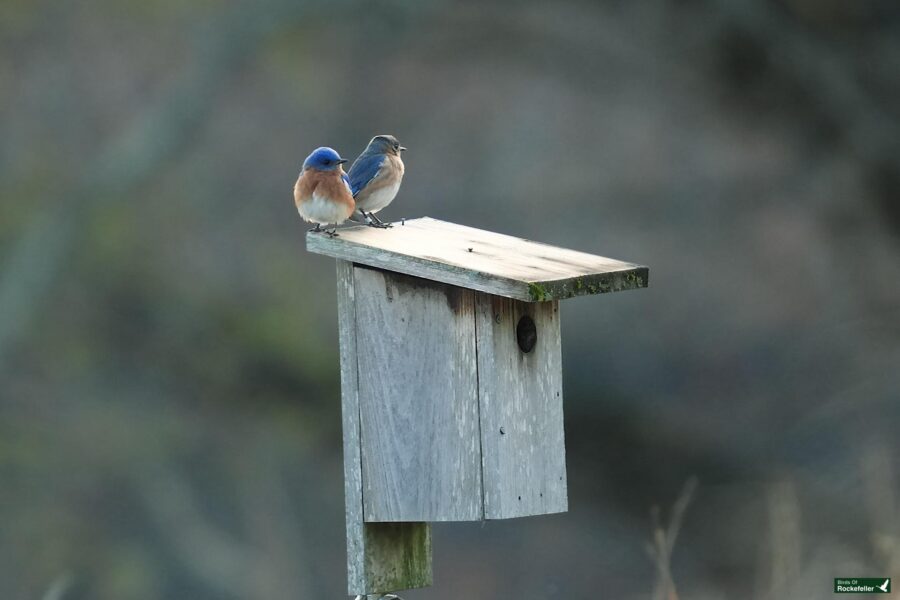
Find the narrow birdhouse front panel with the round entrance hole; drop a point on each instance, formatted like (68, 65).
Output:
(520, 395)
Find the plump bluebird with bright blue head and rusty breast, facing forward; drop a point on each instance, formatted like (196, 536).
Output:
(322, 192)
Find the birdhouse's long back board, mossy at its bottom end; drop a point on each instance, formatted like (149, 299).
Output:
(379, 559)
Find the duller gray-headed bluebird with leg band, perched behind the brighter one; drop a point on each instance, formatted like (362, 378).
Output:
(375, 177)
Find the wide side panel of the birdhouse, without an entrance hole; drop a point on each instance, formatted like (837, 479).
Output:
(418, 399)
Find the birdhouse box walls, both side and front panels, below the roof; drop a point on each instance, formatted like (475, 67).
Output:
(460, 401)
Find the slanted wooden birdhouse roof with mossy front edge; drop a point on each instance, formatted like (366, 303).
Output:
(480, 260)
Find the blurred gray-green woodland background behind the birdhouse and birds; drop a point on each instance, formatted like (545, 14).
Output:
(169, 394)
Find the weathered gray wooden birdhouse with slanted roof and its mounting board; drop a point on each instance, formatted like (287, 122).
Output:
(451, 383)
